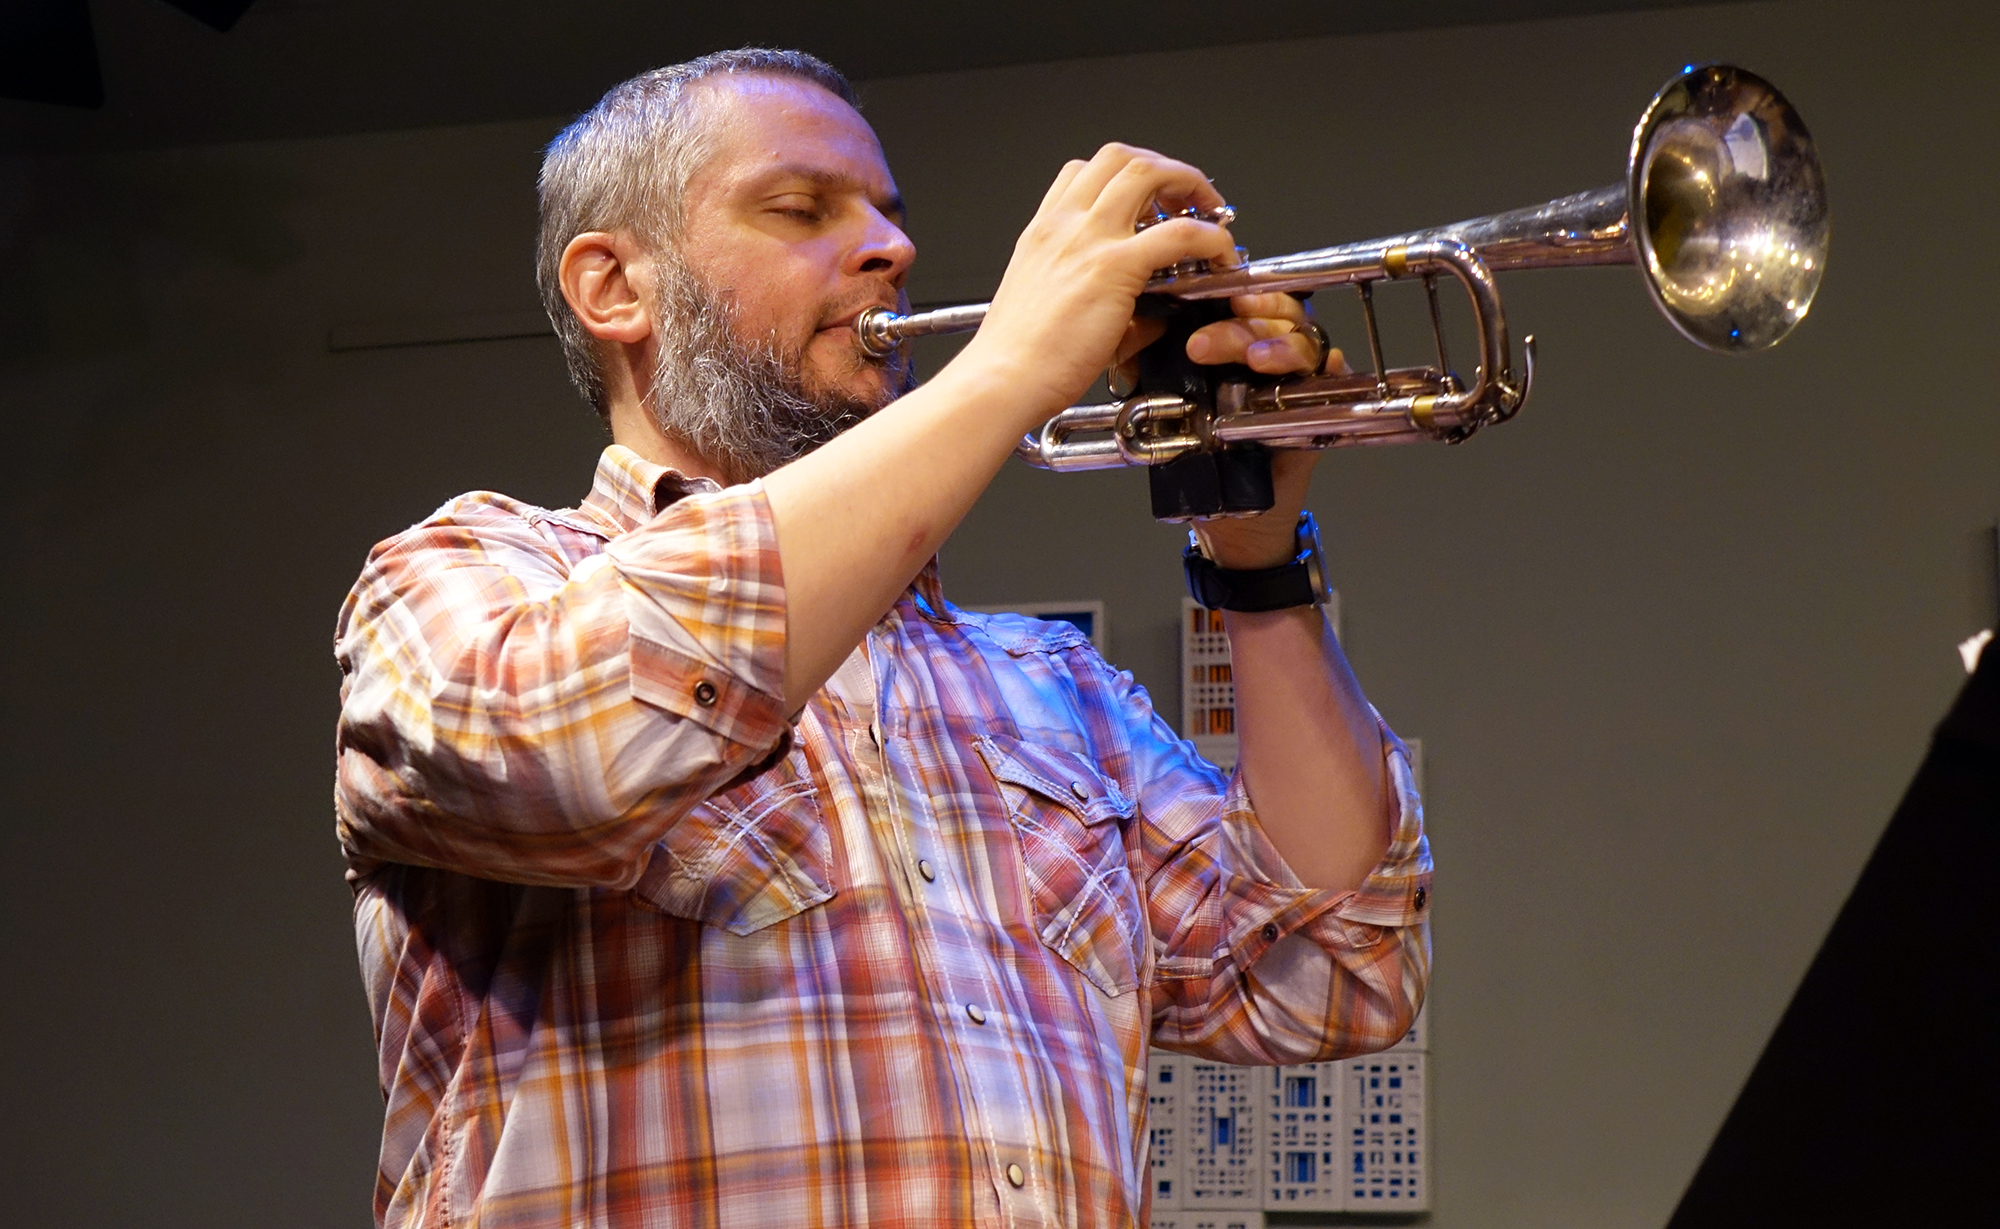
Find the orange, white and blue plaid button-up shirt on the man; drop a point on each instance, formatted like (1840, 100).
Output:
(641, 952)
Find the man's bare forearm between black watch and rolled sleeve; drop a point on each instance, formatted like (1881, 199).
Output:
(1309, 746)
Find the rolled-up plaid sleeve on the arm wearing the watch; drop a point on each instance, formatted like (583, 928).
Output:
(1249, 964)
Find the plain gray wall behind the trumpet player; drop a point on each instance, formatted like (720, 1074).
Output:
(1673, 640)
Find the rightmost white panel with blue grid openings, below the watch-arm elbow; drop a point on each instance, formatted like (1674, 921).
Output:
(1387, 1148)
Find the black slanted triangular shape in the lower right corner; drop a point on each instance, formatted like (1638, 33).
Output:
(1875, 1102)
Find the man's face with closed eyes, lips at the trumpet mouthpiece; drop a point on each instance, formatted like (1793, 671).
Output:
(797, 221)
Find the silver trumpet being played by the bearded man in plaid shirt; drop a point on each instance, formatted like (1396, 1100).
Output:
(1723, 209)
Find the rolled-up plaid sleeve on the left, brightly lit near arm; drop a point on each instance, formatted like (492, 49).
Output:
(515, 716)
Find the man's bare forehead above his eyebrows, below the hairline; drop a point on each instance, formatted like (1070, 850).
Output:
(769, 125)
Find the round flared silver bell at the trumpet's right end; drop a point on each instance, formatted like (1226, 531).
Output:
(1729, 209)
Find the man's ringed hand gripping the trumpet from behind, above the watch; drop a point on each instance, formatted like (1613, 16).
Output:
(1271, 337)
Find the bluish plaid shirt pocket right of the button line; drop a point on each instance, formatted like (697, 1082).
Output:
(1069, 822)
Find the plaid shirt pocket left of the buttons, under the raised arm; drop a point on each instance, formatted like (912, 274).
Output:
(747, 858)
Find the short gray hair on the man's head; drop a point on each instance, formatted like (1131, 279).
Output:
(627, 163)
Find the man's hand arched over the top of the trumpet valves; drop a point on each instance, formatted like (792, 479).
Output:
(1079, 267)
